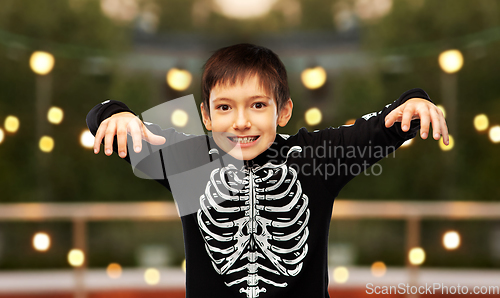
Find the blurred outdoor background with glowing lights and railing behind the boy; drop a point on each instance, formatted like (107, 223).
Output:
(345, 58)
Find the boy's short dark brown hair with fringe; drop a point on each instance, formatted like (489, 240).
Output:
(233, 64)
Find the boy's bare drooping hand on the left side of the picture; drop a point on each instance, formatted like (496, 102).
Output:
(120, 124)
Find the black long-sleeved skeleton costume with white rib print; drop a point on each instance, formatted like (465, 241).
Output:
(259, 228)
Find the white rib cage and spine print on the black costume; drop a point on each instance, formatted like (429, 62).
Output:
(258, 234)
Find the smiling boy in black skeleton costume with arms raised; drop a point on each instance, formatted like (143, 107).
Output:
(262, 230)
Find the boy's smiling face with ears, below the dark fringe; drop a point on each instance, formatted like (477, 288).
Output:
(243, 118)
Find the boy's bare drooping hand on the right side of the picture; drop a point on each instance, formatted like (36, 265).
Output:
(427, 112)
